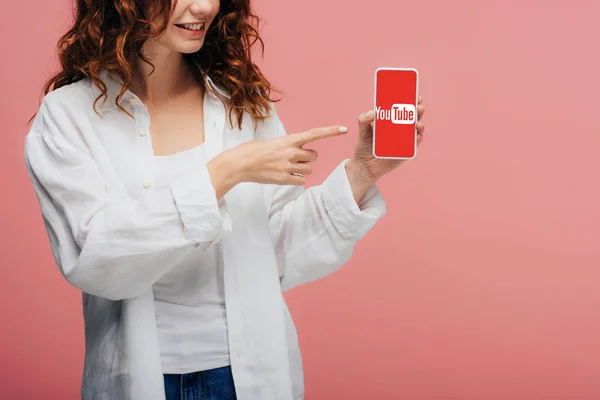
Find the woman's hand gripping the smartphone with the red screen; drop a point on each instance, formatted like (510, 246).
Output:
(363, 157)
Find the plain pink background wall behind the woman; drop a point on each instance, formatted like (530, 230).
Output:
(483, 280)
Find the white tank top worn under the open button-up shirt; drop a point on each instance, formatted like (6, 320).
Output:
(190, 298)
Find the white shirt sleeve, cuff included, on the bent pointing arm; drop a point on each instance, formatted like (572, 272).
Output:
(104, 242)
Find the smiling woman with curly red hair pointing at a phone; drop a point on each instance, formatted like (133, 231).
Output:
(174, 200)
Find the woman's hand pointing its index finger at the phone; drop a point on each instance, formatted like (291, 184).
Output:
(281, 160)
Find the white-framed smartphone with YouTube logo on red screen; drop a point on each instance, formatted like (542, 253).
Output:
(395, 124)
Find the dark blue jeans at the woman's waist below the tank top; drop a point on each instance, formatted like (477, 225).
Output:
(213, 384)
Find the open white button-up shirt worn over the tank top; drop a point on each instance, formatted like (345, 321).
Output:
(114, 234)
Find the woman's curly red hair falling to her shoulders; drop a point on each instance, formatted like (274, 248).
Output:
(108, 34)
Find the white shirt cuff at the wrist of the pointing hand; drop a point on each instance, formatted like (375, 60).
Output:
(203, 218)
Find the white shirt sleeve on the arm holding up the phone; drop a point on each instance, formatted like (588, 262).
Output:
(315, 230)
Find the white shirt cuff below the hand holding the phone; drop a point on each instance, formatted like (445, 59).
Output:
(351, 220)
